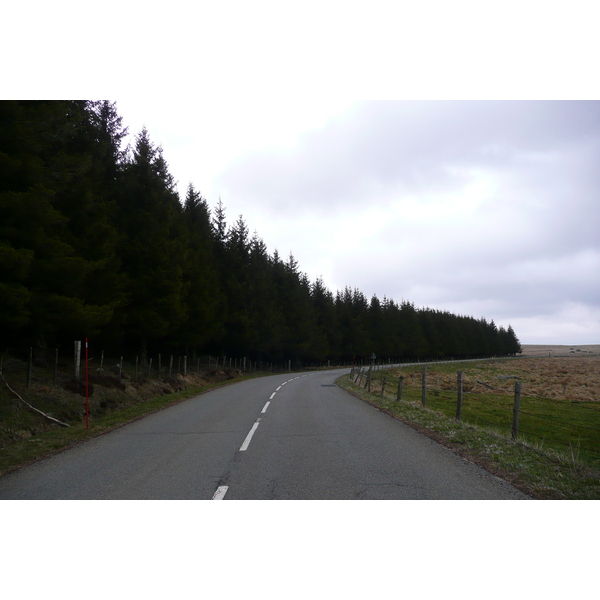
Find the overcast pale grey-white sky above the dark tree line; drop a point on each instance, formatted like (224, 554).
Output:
(482, 208)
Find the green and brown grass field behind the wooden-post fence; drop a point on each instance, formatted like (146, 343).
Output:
(560, 401)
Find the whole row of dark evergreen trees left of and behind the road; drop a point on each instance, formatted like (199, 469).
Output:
(96, 242)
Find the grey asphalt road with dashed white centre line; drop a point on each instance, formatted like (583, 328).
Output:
(289, 436)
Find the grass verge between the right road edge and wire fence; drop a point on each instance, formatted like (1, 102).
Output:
(541, 472)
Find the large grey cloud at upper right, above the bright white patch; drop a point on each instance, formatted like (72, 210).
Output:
(406, 146)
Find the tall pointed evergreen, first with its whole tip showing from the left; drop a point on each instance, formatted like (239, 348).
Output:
(153, 248)
